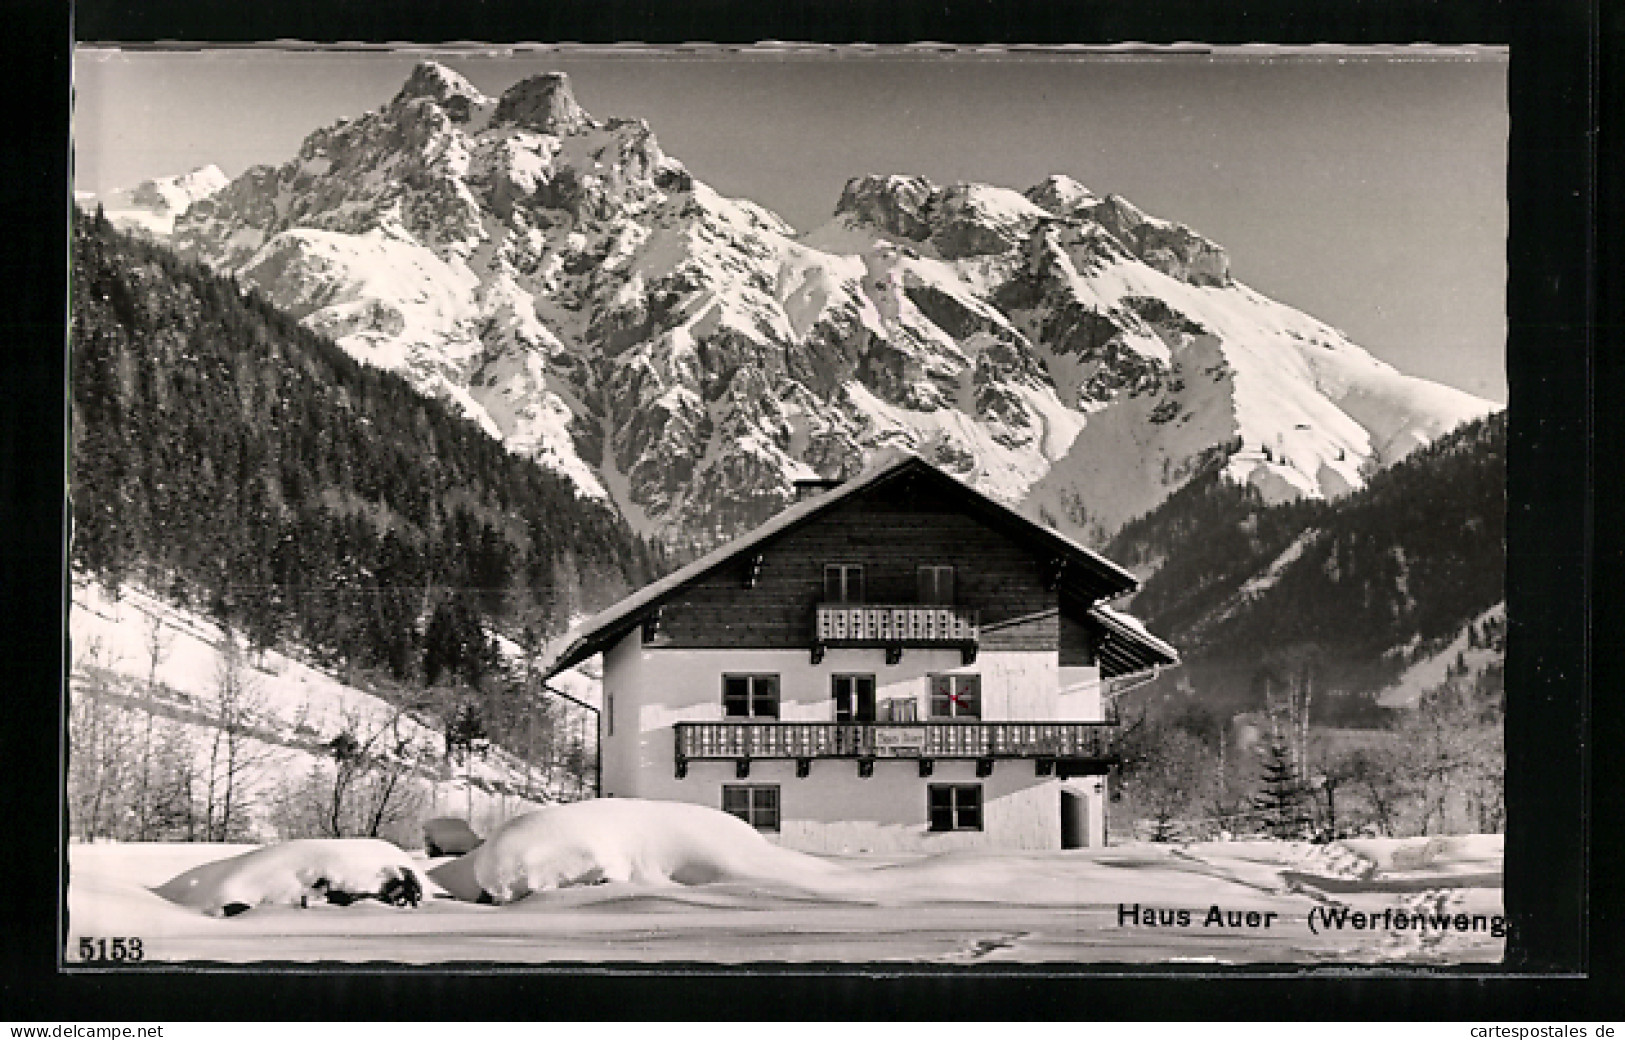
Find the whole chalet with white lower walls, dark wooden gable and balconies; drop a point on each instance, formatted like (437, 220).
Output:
(895, 665)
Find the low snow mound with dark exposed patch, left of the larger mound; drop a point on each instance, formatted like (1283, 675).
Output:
(293, 873)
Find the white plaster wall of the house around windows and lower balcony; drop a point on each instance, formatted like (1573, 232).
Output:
(836, 810)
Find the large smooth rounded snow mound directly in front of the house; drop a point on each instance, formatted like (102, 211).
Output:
(623, 839)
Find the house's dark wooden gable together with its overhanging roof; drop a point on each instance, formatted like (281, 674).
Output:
(763, 589)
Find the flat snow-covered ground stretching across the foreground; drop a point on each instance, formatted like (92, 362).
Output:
(950, 909)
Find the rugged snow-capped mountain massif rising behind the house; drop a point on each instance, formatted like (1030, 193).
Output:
(587, 300)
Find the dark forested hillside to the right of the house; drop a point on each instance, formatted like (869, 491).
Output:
(1363, 586)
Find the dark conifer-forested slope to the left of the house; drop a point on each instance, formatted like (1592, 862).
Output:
(236, 462)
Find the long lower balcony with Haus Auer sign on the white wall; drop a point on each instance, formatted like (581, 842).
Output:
(1064, 748)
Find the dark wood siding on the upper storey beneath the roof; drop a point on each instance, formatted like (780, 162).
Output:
(890, 531)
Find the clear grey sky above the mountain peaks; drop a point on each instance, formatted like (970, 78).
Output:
(1364, 189)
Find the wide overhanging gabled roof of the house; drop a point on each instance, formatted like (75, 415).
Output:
(1090, 576)
